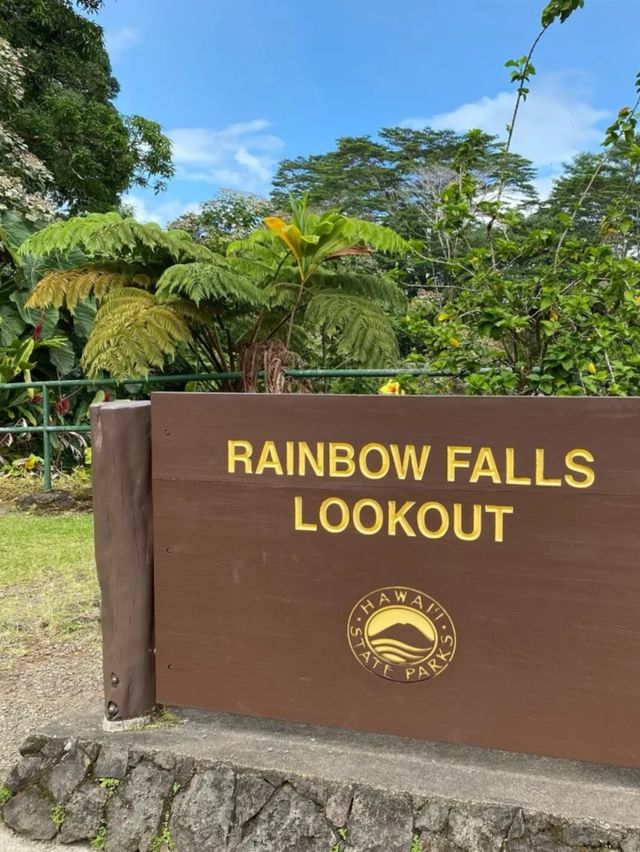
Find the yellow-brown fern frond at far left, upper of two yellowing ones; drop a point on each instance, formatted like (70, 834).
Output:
(67, 287)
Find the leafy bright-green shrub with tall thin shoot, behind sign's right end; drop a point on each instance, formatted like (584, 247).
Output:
(550, 303)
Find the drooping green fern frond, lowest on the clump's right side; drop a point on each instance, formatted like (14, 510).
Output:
(363, 332)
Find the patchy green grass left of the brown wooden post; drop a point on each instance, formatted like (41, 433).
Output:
(48, 588)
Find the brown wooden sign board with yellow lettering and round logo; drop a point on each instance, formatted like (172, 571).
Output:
(456, 569)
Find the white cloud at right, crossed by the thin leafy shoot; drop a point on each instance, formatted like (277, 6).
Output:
(554, 123)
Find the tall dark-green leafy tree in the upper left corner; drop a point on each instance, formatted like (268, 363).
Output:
(65, 115)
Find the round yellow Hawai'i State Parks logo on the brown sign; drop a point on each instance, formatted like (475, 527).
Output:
(401, 634)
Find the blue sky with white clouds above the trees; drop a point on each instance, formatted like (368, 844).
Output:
(240, 84)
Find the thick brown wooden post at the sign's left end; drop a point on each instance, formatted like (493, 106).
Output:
(121, 464)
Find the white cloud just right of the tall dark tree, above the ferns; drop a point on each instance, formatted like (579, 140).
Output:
(241, 156)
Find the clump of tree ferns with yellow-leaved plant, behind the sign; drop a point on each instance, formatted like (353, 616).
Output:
(285, 290)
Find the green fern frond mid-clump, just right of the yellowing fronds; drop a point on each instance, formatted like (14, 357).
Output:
(209, 282)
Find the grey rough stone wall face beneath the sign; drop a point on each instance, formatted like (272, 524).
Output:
(123, 800)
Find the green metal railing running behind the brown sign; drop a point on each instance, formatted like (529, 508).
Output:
(47, 430)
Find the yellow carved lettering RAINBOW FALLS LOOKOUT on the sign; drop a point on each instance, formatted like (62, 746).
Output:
(428, 518)
